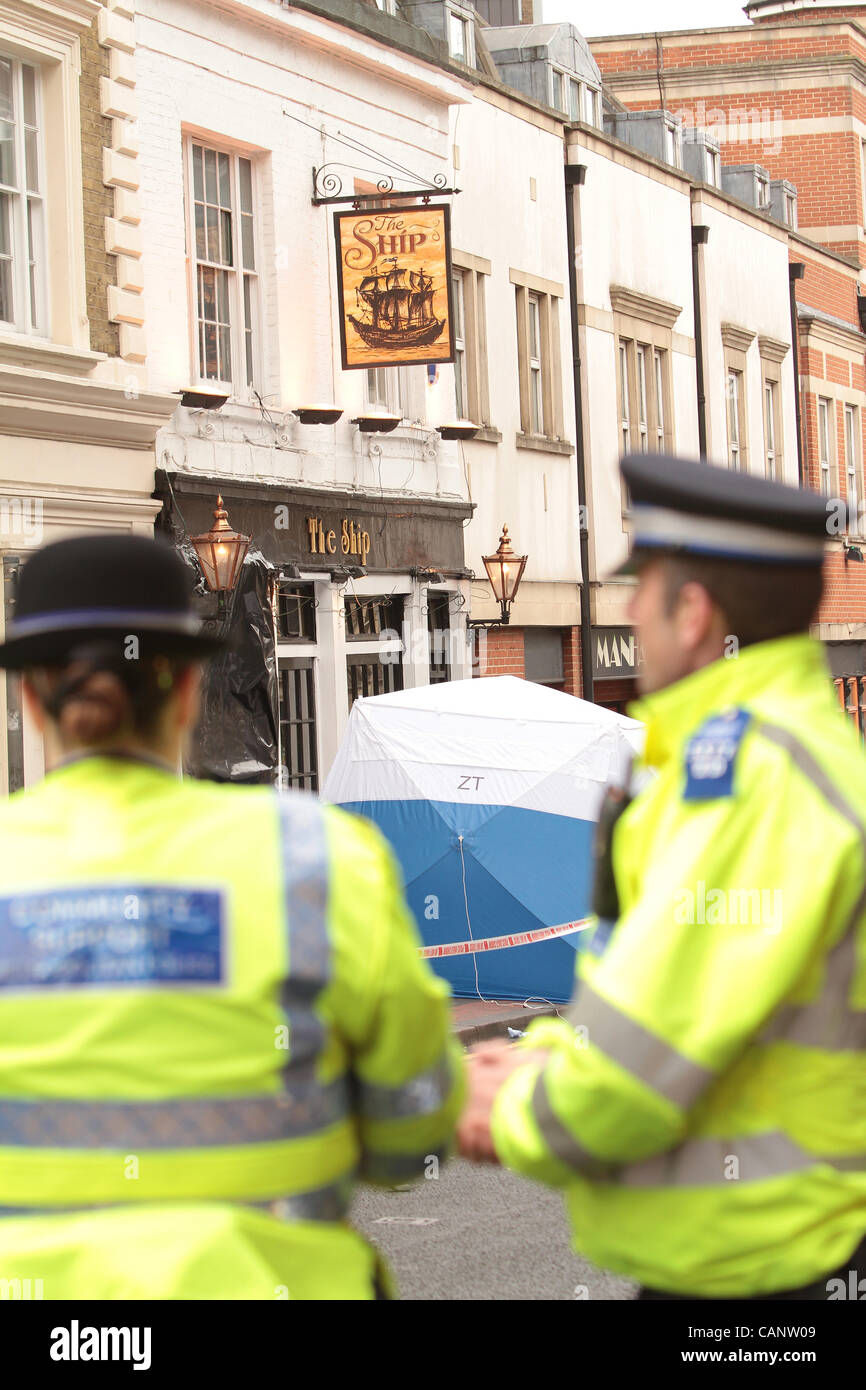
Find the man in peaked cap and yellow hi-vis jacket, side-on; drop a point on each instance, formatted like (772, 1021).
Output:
(704, 1107)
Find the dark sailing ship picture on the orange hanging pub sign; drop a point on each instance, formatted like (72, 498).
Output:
(397, 315)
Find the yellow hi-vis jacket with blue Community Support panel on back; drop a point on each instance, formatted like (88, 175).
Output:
(213, 1018)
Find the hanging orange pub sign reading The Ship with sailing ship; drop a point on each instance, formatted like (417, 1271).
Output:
(394, 286)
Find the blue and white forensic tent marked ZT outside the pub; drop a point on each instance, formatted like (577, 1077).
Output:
(489, 792)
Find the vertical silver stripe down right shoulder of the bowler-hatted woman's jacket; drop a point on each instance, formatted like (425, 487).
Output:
(305, 869)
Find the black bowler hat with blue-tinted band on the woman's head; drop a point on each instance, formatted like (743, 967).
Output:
(104, 589)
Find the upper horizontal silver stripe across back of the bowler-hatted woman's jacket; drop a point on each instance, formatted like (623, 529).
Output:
(130, 1127)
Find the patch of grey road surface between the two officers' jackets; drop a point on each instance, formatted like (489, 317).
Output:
(479, 1232)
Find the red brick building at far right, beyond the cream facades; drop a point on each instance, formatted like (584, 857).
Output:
(787, 92)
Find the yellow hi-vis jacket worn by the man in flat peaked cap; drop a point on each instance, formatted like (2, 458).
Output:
(705, 1107)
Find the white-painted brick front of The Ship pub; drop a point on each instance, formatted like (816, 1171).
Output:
(256, 95)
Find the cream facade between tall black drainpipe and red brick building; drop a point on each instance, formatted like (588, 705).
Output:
(636, 291)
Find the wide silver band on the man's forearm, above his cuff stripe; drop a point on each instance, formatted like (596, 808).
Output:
(637, 1050)
